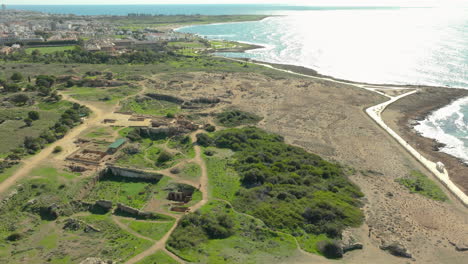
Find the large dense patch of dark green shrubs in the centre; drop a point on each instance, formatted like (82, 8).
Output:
(289, 189)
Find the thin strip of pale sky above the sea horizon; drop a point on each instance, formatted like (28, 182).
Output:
(289, 2)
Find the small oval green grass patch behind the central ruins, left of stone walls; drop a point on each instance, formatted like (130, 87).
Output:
(149, 106)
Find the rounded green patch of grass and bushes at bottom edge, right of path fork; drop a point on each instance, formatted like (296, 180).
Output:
(217, 234)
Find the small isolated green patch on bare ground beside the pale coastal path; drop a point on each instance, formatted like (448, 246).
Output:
(419, 183)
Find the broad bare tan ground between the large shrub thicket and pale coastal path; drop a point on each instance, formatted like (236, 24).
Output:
(328, 119)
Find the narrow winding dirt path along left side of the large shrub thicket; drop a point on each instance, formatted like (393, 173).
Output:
(203, 187)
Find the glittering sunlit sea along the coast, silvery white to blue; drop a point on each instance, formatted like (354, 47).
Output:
(381, 45)
